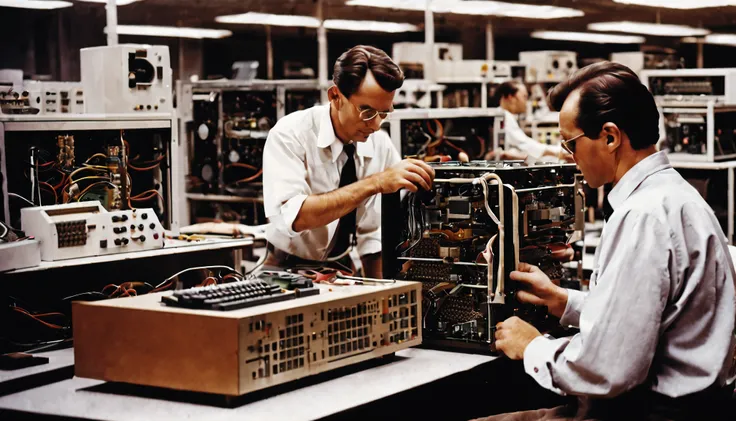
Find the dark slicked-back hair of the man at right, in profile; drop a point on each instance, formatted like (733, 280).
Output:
(611, 92)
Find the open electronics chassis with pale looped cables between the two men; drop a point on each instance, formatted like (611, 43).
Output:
(443, 238)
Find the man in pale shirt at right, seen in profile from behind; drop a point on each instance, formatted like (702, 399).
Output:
(656, 334)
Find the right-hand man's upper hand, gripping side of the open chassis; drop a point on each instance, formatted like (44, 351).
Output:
(539, 290)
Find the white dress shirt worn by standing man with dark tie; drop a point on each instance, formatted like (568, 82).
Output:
(303, 157)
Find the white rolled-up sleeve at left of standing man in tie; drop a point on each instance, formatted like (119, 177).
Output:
(284, 180)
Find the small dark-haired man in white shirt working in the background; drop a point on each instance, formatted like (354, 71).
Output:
(512, 97)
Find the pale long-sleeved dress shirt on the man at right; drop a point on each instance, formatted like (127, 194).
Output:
(661, 306)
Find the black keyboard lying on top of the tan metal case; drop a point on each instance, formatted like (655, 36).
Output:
(233, 295)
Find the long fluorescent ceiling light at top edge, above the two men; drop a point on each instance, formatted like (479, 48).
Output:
(475, 7)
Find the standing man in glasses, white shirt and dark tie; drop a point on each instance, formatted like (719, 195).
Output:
(323, 168)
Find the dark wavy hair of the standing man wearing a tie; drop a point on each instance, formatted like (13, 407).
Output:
(352, 65)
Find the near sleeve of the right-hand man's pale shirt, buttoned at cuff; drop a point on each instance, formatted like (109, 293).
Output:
(619, 319)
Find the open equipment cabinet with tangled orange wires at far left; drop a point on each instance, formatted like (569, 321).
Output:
(123, 162)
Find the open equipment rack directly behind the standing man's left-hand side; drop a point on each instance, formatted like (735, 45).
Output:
(226, 124)
